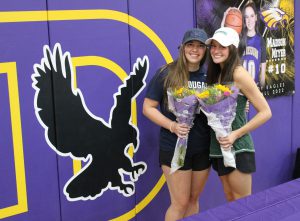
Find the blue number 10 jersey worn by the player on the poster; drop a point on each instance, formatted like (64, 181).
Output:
(254, 55)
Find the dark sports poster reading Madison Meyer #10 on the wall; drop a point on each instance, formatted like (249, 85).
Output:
(266, 29)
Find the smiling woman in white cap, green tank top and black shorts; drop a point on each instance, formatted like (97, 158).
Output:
(223, 67)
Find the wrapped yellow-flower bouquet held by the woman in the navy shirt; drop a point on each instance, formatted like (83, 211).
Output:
(182, 102)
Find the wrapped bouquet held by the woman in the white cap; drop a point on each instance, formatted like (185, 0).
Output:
(218, 103)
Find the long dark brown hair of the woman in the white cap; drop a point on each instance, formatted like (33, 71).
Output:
(217, 75)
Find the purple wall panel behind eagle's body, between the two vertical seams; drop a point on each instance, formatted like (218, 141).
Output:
(103, 38)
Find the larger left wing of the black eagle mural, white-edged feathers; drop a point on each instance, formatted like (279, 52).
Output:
(70, 128)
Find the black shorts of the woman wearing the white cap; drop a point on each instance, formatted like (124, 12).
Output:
(245, 162)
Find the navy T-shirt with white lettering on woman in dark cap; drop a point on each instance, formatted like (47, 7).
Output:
(199, 135)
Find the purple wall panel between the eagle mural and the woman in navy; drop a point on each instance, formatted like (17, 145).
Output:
(165, 22)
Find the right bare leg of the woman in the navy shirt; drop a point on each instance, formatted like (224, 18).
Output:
(199, 179)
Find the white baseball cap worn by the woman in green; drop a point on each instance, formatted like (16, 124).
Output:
(225, 36)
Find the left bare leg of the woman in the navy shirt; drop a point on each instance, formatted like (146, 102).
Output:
(179, 185)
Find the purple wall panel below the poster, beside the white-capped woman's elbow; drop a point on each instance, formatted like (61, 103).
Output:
(273, 146)
